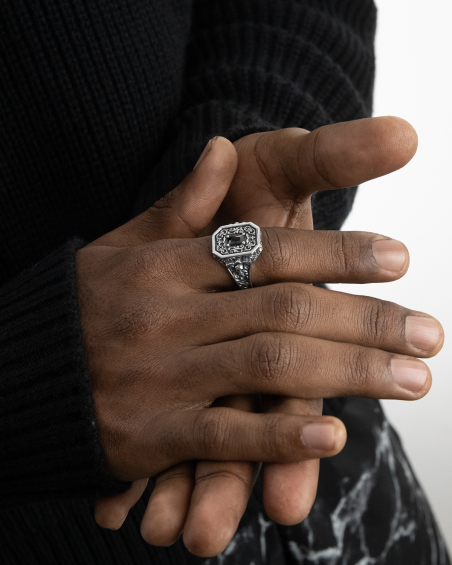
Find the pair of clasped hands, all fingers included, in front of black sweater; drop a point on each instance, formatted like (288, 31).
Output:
(177, 355)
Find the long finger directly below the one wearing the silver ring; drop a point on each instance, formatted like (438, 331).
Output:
(314, 312)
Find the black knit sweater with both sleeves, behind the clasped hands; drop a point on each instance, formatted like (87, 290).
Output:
(105, 105)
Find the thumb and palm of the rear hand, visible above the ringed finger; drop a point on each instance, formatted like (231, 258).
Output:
(279, 171)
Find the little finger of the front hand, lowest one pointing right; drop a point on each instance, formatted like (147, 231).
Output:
(226, 434)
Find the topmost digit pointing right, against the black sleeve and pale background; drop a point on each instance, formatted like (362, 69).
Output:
(338, 155)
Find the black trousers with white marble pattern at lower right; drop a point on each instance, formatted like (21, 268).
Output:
(370, 509)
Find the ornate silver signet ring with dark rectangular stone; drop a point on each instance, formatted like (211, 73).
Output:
(237, 246)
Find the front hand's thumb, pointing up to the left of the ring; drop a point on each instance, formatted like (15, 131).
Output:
(190, 207)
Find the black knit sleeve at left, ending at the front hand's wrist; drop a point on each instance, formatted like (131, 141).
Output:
(49, 447)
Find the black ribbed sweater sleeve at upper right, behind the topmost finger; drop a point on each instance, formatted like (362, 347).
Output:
(261, 65)
